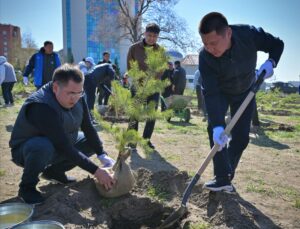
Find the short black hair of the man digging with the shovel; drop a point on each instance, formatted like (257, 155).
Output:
(213, 21)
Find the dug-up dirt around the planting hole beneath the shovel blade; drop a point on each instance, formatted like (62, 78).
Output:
(155, 196)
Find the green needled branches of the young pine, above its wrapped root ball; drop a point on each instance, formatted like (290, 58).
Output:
(145, 83)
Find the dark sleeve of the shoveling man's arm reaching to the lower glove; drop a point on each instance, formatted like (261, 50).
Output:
(211, 92)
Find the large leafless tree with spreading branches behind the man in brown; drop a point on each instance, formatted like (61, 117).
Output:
(128, 17)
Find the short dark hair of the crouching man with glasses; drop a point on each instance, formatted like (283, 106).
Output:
(67, 72)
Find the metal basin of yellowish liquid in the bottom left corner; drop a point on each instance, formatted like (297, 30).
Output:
(12, 214)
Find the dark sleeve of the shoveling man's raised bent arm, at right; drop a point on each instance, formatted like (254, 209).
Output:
(267, 43)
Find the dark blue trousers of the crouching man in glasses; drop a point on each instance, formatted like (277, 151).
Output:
(38, 153)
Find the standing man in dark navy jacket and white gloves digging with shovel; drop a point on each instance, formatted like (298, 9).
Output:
(227, 65)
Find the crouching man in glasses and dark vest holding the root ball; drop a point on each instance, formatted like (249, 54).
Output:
(46, 138)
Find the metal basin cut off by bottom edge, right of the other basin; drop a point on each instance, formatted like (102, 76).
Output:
(43, 224)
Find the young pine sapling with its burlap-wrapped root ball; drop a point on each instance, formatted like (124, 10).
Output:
(146, 83)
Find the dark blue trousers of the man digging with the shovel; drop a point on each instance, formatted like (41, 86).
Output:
(226, 161)
